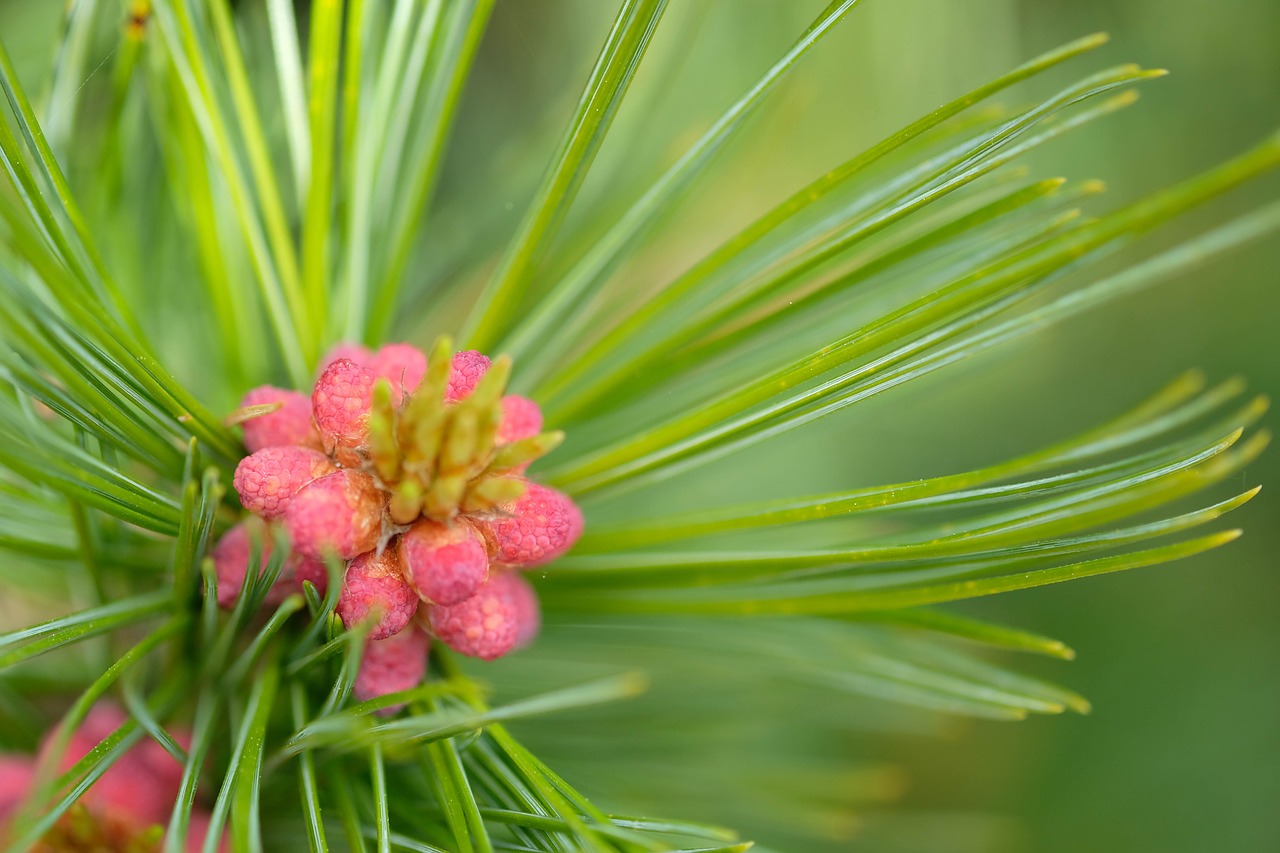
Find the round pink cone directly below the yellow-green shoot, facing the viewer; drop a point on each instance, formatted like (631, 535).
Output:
(446, 563)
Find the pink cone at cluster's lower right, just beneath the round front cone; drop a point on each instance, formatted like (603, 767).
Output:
(491, 623)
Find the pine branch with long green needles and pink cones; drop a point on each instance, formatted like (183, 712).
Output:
(269, 578)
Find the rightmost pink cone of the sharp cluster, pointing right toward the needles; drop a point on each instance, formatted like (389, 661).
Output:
(541, 527)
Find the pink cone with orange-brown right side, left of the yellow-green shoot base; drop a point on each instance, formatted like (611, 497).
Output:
(341, 513)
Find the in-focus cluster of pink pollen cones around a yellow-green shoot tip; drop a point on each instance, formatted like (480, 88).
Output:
(412, 472)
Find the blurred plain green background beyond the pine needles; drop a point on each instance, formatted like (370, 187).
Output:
(1182, 663)
